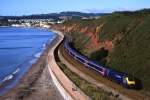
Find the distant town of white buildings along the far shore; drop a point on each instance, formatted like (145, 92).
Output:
(45, 23)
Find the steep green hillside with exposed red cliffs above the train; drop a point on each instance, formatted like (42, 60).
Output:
(119, 40)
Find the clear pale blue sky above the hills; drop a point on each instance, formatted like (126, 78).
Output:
(28, 7)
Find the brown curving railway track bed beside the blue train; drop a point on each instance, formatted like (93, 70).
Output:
(133, 94)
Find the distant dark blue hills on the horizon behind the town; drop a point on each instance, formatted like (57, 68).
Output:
(56, 16)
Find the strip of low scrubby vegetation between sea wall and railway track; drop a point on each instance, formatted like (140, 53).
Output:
(93, 92)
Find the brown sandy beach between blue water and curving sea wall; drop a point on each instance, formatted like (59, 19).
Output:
(36, 84)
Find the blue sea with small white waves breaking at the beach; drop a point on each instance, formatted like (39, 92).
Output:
(19, 49)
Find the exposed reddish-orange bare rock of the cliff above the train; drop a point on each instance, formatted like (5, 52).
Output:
(88, 31)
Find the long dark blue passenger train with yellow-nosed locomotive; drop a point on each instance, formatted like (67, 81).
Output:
(119, 77)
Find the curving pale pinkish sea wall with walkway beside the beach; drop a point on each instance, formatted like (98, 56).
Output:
(65, 86)
